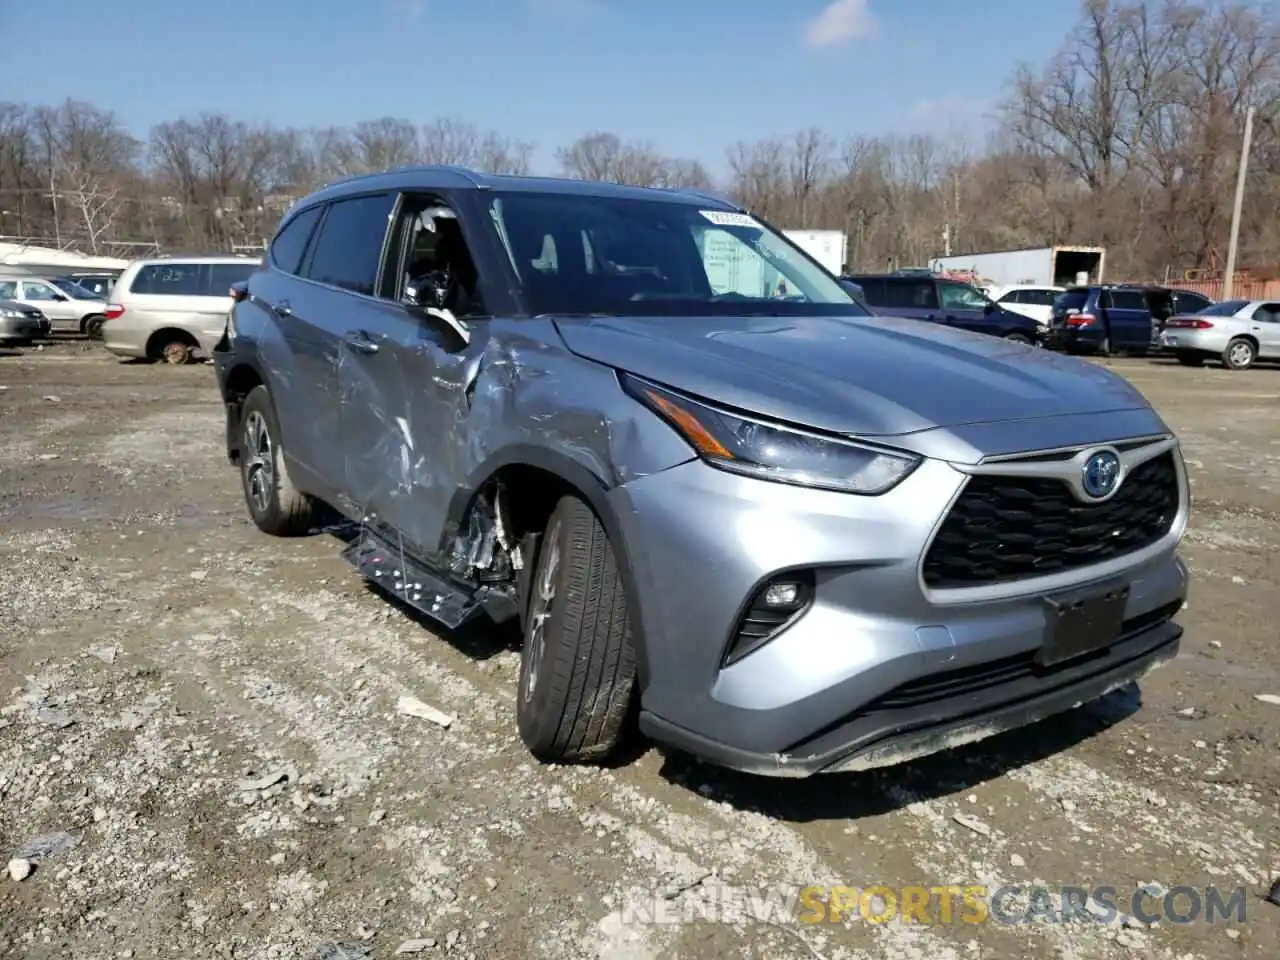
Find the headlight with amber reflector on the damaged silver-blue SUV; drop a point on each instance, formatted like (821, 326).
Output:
(787, 455)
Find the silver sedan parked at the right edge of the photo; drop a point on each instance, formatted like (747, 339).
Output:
(1236, 332)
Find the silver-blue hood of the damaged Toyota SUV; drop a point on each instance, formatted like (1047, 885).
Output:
(853, 376)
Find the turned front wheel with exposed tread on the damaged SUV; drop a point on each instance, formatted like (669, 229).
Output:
(578, 665)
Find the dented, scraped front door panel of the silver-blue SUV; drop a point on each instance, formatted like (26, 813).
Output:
(404, 382)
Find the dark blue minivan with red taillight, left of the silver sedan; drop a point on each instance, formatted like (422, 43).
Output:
(1117, 318)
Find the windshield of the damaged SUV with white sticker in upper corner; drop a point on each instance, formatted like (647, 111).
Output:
(636, 258)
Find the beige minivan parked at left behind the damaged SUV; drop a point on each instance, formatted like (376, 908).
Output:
(172, 309)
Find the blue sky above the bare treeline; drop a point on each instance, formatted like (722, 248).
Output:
(691, 77)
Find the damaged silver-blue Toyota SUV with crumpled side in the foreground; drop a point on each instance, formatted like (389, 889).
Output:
(711, 487)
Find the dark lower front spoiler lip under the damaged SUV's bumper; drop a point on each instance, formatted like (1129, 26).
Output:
(881, 739)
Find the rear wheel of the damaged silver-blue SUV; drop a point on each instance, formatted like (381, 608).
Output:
(275, 504)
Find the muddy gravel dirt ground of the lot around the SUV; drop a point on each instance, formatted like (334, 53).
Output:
(211, 717)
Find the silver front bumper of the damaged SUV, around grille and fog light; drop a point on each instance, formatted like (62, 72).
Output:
(819, 696)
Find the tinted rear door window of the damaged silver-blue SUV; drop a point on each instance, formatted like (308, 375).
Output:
(349, 250)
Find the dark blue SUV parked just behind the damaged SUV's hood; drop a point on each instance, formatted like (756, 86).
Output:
(929, 298)
